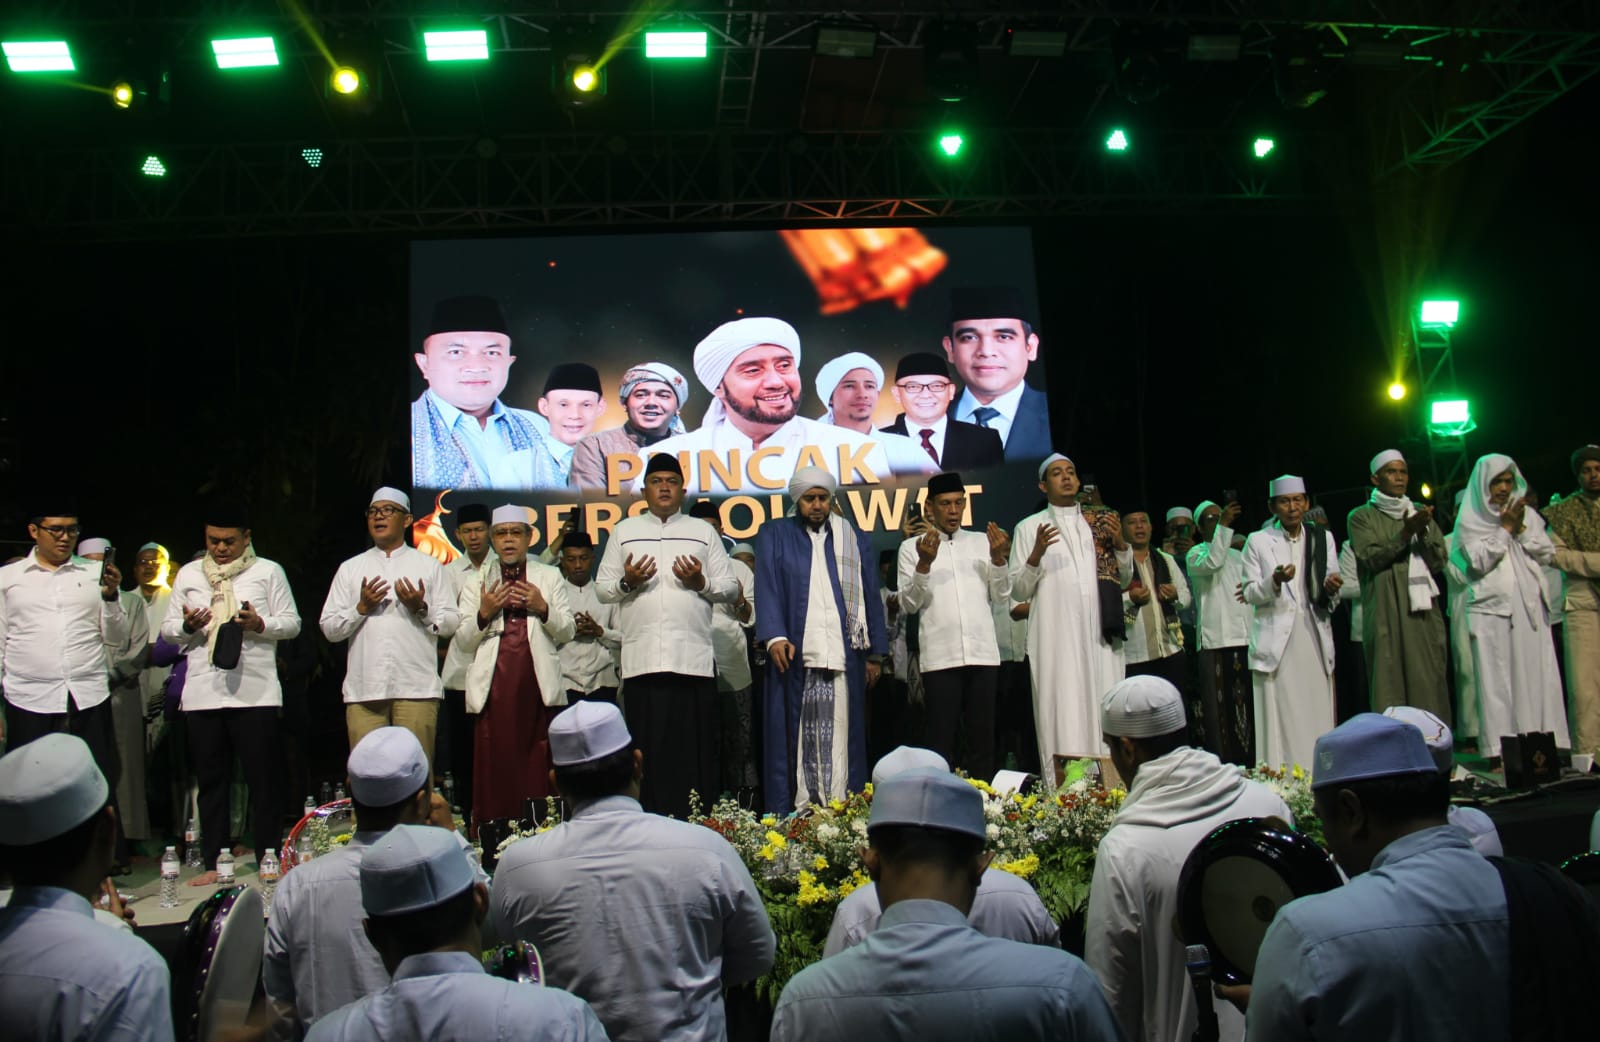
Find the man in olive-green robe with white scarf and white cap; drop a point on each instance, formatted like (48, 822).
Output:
(1399, 548)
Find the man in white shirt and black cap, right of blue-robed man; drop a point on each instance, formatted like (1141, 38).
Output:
(950, 579)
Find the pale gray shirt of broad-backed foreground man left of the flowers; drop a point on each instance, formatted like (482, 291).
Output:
(642, 916)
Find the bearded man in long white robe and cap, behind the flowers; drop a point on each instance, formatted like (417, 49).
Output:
(1073, 660)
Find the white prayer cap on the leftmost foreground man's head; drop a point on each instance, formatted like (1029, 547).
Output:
(47, 788)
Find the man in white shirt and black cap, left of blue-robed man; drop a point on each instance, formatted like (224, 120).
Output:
(665, 571)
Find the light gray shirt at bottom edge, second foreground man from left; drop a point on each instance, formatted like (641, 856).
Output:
(449, 998)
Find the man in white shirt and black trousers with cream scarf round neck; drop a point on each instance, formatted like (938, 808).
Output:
(228, 612)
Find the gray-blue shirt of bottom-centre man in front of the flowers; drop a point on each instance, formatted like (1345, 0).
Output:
(927, 976)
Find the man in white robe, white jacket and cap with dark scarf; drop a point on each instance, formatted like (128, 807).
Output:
(1292, 580)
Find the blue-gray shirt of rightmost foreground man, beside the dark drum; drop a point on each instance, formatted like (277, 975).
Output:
(1414, 950)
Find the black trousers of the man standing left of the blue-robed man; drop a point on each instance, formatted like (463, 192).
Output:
(678, 724)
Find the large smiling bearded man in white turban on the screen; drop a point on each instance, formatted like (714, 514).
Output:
(753, 372)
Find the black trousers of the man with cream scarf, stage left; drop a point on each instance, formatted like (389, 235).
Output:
(215, 739)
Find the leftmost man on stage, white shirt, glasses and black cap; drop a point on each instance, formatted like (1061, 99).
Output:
(58, 615)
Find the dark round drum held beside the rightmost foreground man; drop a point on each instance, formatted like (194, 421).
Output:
(1236, 881)
